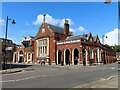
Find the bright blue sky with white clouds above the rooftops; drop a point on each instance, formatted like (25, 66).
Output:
(84, 17)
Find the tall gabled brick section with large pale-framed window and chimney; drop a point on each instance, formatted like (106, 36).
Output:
(45, 41)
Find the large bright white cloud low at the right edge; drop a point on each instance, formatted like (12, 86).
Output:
(112, 37)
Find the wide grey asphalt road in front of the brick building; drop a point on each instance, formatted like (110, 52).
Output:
(38, 76)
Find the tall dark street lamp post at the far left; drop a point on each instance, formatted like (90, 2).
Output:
(13, 22)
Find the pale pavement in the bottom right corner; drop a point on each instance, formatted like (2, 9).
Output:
(102, 83)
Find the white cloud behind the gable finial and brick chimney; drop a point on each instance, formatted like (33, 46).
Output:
(51, 20)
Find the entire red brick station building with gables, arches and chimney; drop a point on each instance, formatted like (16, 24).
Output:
(55, 45)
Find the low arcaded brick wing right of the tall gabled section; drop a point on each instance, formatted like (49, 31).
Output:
(76, 49)
